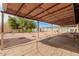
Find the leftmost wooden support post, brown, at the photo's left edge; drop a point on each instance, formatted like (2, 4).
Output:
(2, 31)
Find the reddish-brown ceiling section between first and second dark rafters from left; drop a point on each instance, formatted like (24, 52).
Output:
(27, 8)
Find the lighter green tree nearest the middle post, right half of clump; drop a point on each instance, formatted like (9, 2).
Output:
(26, 25)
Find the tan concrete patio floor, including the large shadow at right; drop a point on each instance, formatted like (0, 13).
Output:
(53, 45)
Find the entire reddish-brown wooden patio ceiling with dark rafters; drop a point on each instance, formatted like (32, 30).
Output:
(54, 13)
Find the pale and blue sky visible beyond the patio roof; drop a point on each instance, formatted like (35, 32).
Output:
(41, 24)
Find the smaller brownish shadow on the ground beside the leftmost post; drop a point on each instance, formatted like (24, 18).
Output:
(15, 41)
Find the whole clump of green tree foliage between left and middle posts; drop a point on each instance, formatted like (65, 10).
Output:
(21, 23)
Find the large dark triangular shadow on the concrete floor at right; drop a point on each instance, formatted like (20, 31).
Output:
(64, 41)
